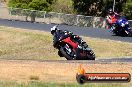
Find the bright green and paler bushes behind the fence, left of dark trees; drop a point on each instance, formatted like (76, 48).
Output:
(63, 6)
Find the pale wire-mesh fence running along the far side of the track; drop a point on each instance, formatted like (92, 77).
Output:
(52, 17)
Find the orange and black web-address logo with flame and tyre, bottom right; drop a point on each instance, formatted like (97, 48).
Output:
(83, 77)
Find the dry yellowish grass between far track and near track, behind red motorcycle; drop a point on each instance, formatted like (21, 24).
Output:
(33, 44)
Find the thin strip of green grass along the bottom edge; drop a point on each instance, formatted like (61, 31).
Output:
(51, 84)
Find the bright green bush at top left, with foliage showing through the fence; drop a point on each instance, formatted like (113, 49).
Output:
(42, 5)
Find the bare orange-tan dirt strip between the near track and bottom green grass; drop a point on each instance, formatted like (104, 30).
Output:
(54, 71)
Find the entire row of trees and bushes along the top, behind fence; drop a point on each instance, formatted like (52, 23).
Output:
(84, 7)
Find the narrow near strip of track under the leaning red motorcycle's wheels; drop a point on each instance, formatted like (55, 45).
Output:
(97, 61)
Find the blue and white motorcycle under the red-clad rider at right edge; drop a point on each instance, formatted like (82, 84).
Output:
(121, 27)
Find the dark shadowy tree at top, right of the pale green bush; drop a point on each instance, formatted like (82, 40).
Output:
(88, 7)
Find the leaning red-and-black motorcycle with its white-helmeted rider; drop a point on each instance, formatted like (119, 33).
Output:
(70, 46)
